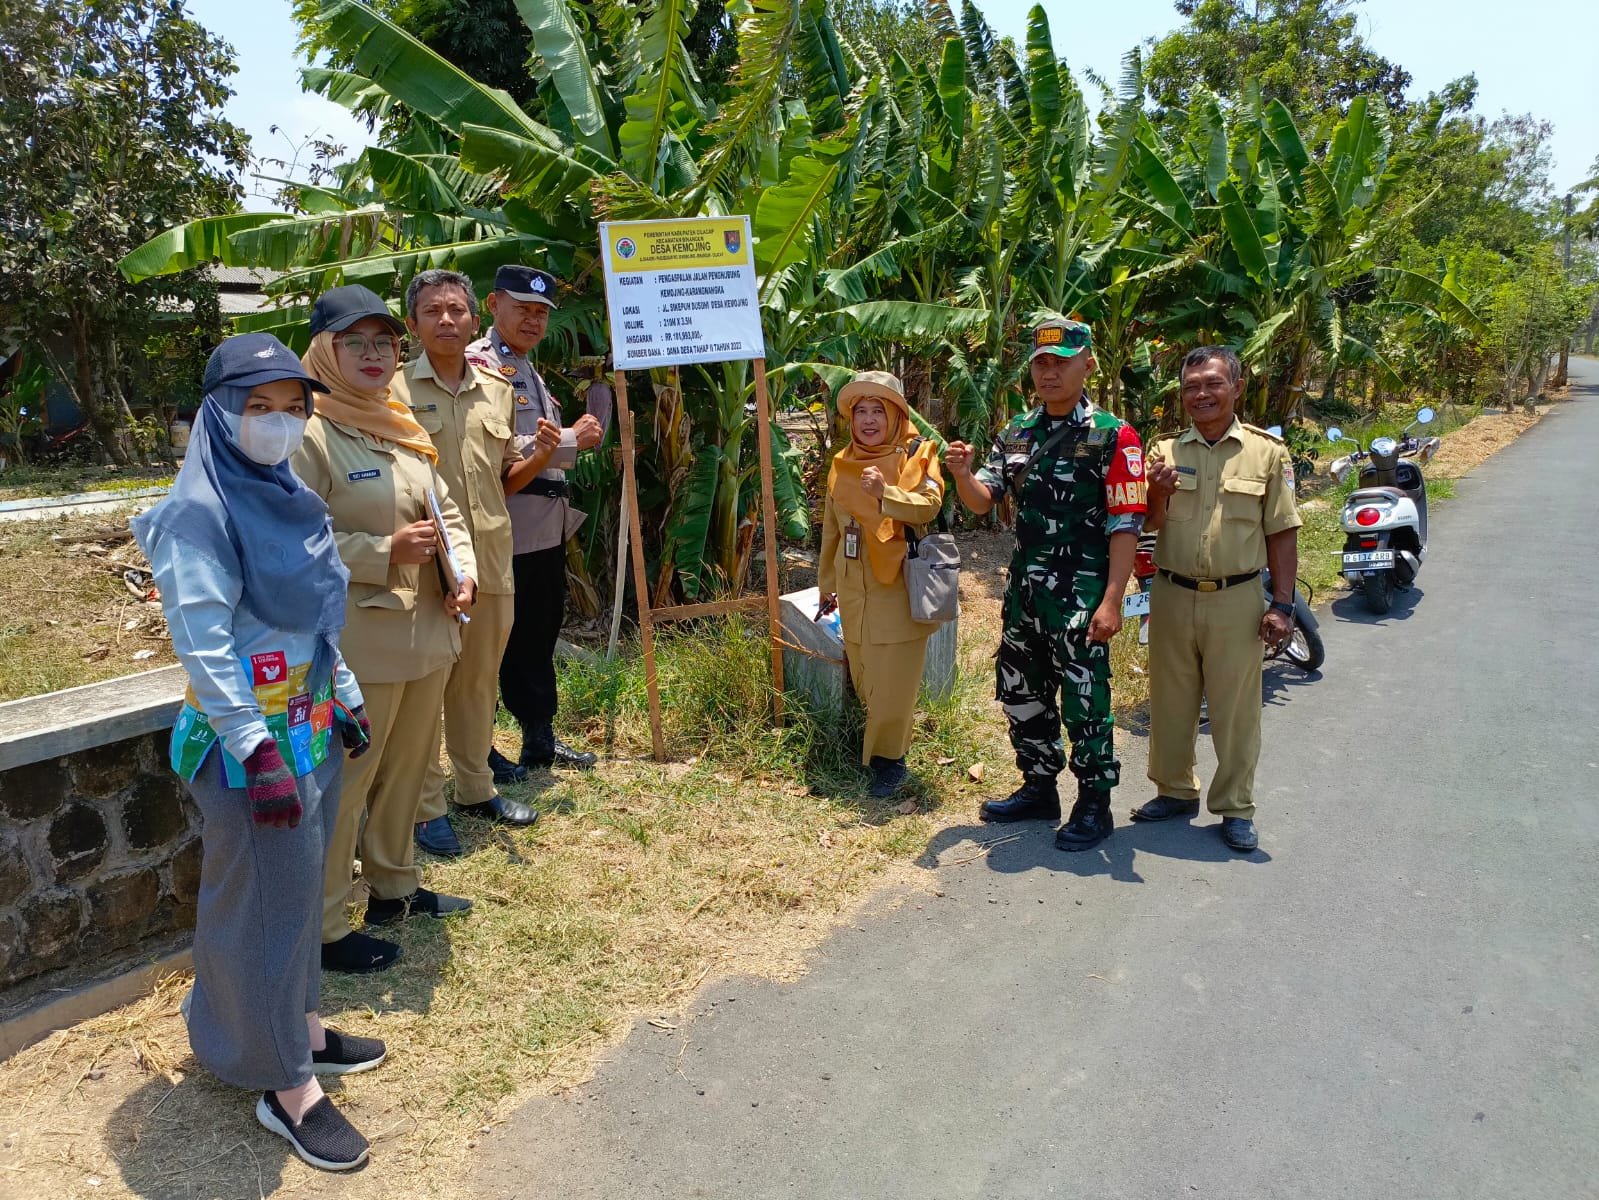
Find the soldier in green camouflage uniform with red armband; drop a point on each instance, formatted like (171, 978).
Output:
(1077, 474)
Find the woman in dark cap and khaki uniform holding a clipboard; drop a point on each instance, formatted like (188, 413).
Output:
(370, 460)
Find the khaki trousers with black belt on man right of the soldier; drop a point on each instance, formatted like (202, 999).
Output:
(1206, 646)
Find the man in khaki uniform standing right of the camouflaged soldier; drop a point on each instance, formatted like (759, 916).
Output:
(1222, 500)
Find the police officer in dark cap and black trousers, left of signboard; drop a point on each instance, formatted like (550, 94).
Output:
(541, 519)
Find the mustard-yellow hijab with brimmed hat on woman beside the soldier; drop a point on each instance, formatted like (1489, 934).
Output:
(901, 466)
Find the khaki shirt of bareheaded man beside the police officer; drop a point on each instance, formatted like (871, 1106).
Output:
(471, 430)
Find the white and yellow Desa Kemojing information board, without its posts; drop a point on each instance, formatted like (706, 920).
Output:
(682, 292)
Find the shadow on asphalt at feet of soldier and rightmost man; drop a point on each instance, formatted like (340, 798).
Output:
(1031, 846)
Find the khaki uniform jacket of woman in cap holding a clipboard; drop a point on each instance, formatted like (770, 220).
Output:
(396, 623)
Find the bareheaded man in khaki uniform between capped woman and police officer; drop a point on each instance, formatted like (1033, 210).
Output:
(468, 415)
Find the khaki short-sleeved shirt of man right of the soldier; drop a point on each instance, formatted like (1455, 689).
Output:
(1229, 500)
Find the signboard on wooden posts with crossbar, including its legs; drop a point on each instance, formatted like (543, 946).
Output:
(685, 292)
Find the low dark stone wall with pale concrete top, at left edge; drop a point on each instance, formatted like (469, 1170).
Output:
(100, 847)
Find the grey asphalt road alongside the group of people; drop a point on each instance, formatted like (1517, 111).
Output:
(1397, 998)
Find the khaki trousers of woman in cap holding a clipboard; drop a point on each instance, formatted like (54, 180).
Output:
(385, 788)
